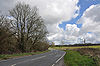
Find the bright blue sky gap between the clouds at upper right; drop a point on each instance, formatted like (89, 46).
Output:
(83, 4)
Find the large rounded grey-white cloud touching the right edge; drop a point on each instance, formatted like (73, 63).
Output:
(91, 23)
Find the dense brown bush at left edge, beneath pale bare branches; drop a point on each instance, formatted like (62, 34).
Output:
(8, 43)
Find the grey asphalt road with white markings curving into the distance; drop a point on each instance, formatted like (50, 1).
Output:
(45, 59)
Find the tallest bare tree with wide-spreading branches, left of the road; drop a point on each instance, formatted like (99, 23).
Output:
(28, 25)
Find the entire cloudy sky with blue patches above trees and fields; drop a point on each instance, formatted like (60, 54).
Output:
(68, 21)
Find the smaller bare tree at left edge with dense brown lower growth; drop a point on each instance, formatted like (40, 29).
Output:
(7, 40)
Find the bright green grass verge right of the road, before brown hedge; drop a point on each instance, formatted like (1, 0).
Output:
(73, 58)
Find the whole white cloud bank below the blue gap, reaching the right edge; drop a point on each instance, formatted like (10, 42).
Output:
(90, 30)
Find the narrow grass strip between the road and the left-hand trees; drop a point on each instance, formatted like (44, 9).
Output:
(7, 56)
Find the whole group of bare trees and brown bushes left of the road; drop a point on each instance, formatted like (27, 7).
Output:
(24, 31)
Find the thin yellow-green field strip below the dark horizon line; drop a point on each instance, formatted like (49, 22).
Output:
(64, 48)
